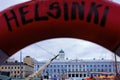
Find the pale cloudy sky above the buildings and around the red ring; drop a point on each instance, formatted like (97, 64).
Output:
(73, 48)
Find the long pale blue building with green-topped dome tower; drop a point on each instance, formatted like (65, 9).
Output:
(78, 69)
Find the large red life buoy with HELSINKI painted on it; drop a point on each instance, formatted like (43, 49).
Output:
(93, 20)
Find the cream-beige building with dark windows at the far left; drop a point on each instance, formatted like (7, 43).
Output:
(16, 69)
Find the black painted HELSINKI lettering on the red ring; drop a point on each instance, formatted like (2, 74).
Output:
(76, 9)
